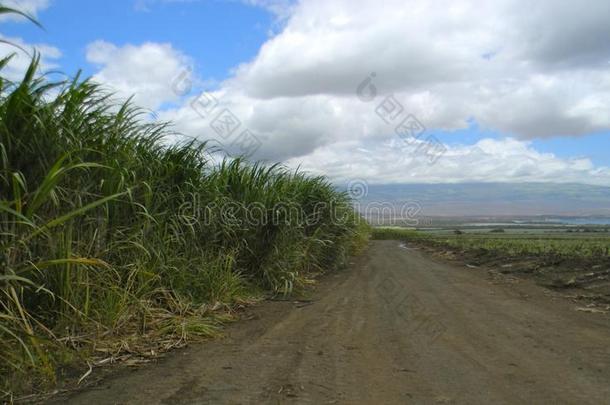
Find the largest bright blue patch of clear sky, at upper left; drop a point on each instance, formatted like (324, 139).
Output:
(217, 34)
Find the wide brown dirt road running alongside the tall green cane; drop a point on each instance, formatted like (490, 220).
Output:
(397, 327)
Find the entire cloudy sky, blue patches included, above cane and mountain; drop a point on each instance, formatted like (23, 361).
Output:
(289, 73)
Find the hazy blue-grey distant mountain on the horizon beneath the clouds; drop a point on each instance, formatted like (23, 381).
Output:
(494, 199)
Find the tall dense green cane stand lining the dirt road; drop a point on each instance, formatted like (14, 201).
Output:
(106, 231)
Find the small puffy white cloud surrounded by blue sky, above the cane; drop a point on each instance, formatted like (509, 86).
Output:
(145, 71)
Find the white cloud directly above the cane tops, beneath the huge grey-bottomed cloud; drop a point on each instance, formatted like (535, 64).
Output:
(286, 127)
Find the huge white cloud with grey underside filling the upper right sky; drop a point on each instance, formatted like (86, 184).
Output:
(517, 68)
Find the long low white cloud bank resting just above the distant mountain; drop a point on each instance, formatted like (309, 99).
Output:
(488, 160)
